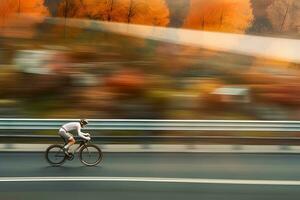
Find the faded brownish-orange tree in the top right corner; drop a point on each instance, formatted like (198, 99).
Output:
(284, 15)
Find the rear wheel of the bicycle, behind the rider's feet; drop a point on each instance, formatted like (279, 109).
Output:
(55, 155)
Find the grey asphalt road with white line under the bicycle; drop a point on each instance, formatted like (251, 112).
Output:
(153, 176)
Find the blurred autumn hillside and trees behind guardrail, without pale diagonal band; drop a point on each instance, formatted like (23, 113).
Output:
(56, 71)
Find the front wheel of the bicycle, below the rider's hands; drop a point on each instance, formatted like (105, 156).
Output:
(90, 155)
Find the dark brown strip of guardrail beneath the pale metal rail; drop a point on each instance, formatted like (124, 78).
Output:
(41, 139)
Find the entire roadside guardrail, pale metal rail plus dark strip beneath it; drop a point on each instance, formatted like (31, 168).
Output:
(156, 125)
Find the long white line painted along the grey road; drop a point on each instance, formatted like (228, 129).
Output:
(156, 180)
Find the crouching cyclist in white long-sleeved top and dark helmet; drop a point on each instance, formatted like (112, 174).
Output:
(71, 126)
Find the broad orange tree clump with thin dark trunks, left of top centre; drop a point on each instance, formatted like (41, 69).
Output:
(153, 12)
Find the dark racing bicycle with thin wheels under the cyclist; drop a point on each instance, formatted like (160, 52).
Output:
(89, 154)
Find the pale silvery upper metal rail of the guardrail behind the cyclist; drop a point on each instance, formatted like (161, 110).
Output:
(154, 125)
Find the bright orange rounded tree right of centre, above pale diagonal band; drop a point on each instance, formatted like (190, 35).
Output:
(220, 15)
